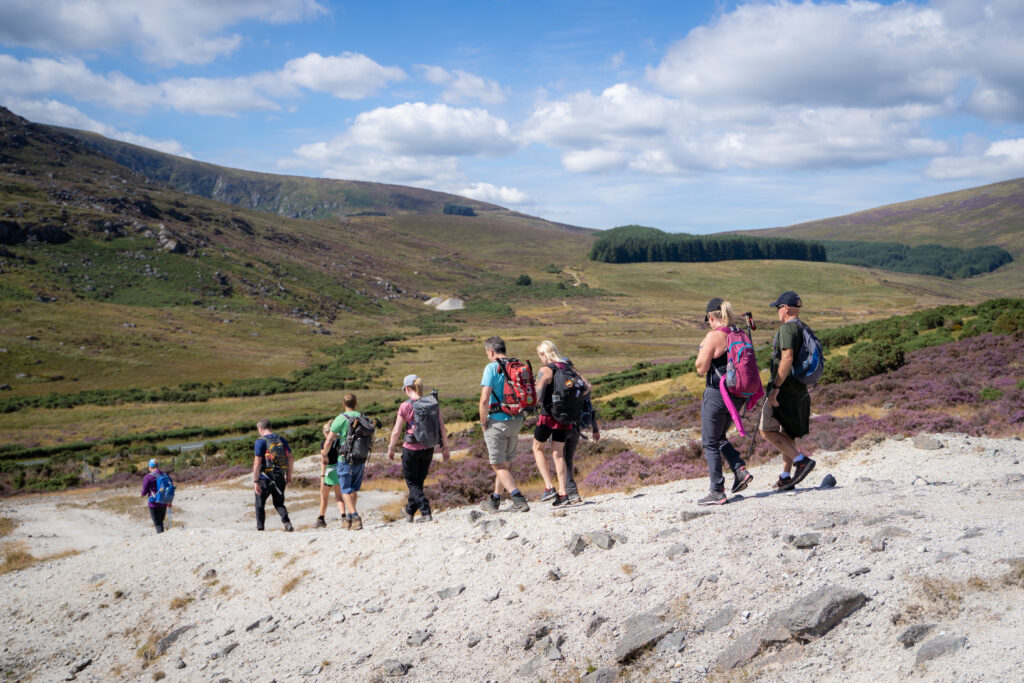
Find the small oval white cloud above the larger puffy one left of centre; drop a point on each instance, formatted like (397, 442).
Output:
(348, 76)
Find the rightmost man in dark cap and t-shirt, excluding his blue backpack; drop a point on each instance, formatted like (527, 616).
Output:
(787, 413)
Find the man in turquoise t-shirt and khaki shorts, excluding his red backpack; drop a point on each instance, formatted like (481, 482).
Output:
(501, 431)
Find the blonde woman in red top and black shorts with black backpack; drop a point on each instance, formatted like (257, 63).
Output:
(548, 428)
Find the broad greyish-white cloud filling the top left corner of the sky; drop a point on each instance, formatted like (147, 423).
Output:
(162, 32)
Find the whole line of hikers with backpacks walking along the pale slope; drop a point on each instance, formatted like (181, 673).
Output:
(509, 391)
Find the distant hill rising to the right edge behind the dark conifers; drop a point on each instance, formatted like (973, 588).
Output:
(975, 218)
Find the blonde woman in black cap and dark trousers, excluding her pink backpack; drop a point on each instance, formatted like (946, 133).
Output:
(715, 417)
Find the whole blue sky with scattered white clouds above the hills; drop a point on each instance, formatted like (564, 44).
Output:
(687, 115)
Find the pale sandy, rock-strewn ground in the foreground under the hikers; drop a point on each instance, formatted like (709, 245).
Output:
(598, 592)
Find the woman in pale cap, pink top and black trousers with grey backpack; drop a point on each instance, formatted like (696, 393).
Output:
(420, 419)
